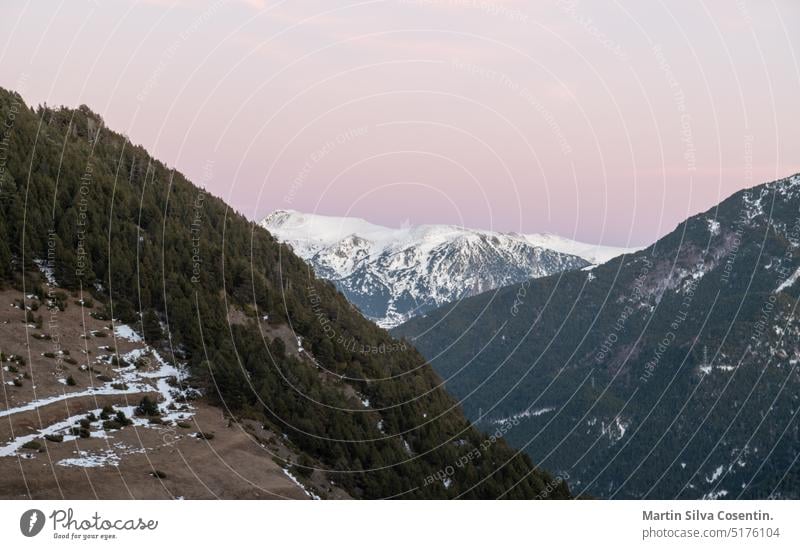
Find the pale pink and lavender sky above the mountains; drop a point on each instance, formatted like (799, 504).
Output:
(609, 122)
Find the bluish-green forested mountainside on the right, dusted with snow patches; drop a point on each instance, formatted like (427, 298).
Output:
(671, 372)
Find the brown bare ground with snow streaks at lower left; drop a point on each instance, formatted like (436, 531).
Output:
(240, 461)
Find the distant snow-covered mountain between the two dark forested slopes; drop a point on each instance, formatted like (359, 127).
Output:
(392, 275)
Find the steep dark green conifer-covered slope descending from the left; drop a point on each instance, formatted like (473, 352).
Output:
(255, 331)
